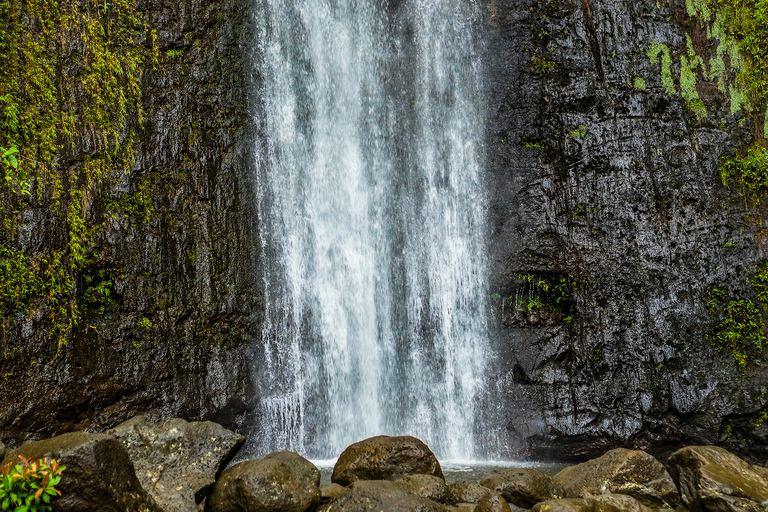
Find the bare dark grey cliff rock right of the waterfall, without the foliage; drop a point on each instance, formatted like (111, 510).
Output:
(622, 197)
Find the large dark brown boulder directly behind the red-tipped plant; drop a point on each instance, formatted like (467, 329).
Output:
(99, 475)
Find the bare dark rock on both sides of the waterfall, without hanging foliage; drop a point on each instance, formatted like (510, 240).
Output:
(602, 178)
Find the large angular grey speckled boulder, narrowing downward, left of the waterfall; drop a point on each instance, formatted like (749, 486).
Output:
(177, 461)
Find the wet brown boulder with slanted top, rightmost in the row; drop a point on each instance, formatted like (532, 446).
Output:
(712, 479)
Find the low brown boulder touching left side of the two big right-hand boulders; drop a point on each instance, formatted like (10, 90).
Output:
(522, 487)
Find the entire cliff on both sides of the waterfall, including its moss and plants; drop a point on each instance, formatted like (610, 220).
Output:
(626, 173)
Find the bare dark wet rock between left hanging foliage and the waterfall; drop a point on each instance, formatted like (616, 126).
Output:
(188, 269)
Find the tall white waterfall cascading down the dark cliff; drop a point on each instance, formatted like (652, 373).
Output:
(372, 221)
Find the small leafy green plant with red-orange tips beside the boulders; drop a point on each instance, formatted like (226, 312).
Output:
(29, 485)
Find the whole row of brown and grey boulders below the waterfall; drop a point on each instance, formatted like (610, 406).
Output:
(179, 466)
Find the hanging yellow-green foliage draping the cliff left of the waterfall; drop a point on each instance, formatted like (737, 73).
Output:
(59, 106)
